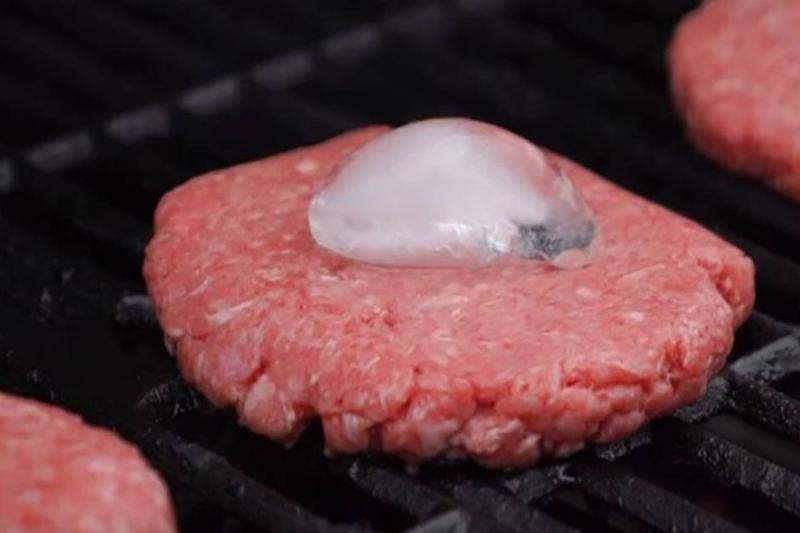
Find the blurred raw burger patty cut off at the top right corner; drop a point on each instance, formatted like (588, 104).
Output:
(736, 79)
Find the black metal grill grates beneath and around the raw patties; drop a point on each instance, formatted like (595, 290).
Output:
(584, 78)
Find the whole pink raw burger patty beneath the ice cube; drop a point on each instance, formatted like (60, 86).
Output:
(502, 363)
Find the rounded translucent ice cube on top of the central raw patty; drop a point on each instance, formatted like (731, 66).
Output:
(452, 192)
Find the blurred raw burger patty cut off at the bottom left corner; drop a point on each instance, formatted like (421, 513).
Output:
(58, 474)
